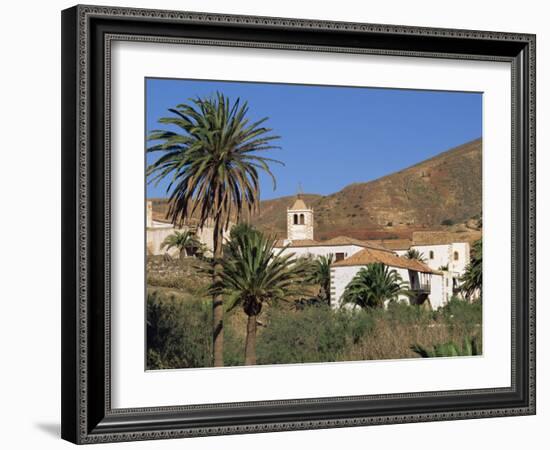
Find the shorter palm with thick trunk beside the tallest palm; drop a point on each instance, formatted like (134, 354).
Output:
(254, 274)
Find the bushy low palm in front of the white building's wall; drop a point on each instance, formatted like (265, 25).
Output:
(373, 285)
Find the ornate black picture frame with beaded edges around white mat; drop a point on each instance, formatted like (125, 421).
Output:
(87, 33)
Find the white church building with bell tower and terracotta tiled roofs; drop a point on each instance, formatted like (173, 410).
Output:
(435, 280)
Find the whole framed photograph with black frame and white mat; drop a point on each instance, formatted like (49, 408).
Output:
(281, 224)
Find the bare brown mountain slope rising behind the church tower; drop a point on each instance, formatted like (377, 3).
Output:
(443, 189)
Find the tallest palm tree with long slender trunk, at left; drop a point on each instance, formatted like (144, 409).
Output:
(212, 165)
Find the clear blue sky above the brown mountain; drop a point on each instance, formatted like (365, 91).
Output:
(334, 136)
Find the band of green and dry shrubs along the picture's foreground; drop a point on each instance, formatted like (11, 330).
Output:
(179, 333)
